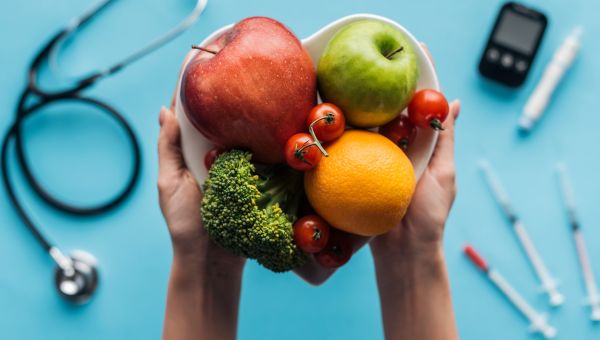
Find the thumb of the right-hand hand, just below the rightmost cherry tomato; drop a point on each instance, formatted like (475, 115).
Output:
(442, 161)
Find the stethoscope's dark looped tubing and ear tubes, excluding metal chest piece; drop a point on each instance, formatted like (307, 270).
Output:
(45, 98)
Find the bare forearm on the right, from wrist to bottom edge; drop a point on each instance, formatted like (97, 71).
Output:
(415, 297)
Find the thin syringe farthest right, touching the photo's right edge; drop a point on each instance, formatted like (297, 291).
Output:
(593, 297)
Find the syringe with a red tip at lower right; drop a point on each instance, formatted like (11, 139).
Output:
(539, 322)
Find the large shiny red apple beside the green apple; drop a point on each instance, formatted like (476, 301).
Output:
(252, 90)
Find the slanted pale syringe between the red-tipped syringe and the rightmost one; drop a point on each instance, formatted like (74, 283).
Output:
(548, 283)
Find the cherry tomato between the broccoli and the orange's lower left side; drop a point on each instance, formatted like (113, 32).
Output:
(311, 233)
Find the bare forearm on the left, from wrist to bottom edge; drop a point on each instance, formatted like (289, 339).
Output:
(202, 301)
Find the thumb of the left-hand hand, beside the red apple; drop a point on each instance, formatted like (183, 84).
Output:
(170, 158)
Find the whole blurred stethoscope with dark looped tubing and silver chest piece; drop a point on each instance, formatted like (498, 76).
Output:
(76, 275)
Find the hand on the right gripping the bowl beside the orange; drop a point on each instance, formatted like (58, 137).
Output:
(420, 232)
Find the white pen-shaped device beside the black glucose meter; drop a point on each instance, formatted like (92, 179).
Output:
(561, 61)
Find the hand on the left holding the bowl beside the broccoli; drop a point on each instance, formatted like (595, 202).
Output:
(180, 198)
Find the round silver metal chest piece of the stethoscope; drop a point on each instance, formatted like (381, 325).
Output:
(78, 282)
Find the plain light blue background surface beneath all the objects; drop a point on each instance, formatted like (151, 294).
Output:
(83, 159)
